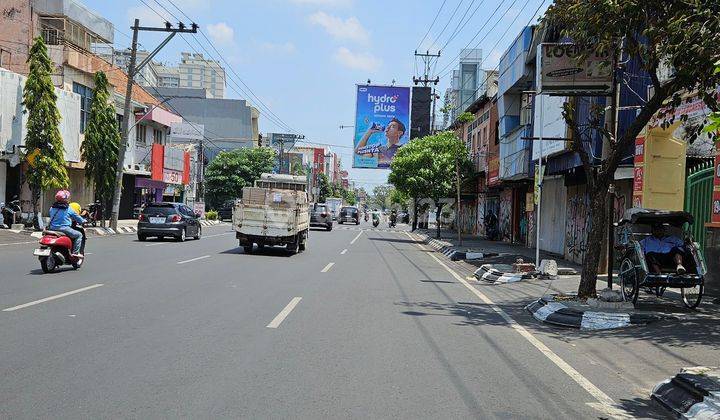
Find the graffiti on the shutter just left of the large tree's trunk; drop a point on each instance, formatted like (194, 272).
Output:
(578, 224)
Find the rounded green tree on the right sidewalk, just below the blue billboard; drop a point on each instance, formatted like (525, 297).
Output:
(426, 168)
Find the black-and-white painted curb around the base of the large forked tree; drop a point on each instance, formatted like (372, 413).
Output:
(549, 311)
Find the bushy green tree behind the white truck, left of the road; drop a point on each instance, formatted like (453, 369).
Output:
(229, 172)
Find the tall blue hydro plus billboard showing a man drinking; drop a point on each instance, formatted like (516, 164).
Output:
(382, 124)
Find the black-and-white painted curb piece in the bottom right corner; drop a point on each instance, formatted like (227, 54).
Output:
(694, 393)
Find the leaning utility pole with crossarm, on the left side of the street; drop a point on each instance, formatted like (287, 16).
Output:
(133, 69)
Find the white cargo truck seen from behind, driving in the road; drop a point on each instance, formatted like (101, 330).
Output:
(273, 212)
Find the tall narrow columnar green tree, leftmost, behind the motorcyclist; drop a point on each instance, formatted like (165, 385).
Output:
(45, 151)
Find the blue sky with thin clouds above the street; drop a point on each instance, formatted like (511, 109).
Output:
(302, 58)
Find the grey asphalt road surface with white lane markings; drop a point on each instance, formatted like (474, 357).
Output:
(364, 324)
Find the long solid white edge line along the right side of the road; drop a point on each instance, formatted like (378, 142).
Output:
(604, 401)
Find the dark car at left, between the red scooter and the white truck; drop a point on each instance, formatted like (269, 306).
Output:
(168, 219)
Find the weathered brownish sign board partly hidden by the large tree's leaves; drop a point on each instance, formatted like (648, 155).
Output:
(562, 73)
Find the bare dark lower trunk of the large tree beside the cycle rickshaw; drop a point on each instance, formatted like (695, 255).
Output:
(591, 260)
